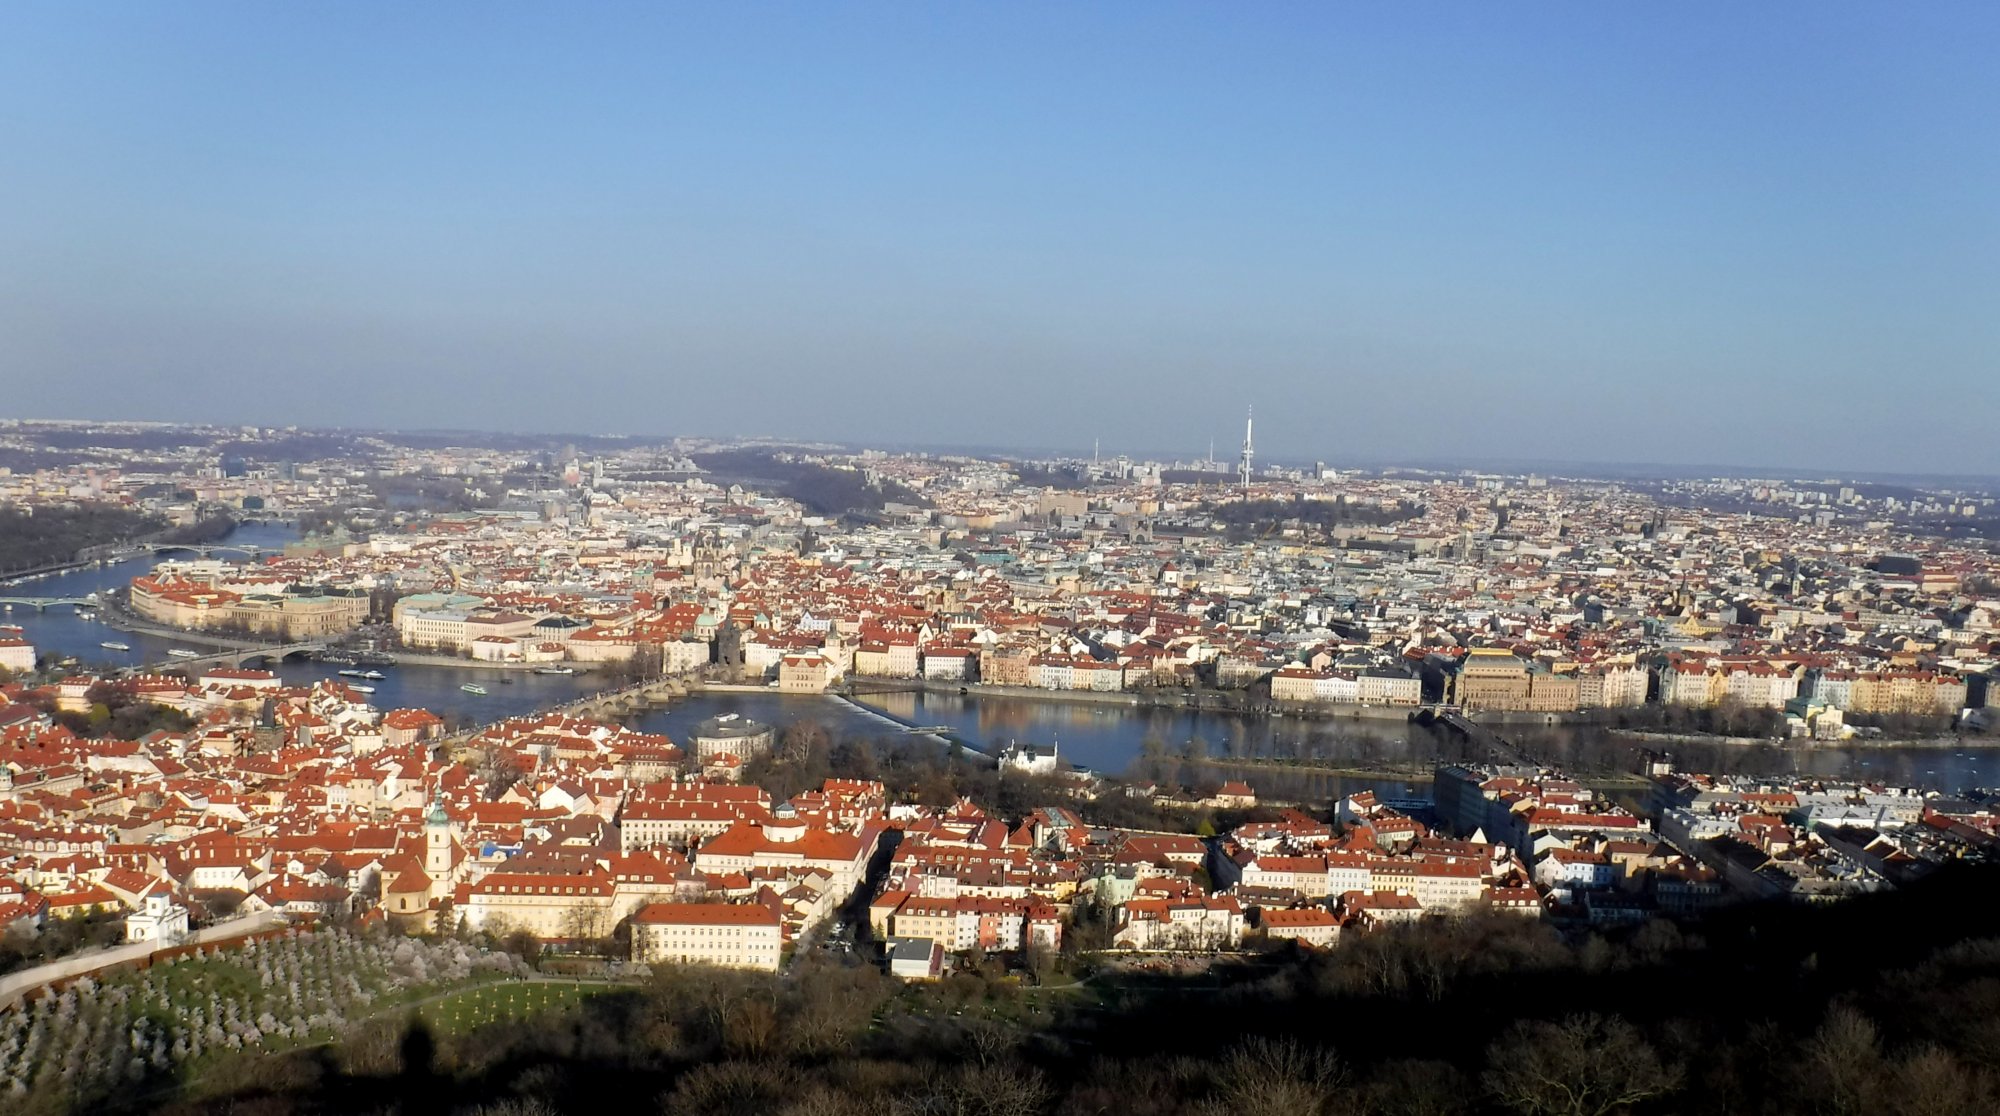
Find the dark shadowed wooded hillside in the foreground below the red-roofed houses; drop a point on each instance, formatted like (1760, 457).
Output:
(1881, 1005)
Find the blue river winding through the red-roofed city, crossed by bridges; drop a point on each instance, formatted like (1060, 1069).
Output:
(1103, 737)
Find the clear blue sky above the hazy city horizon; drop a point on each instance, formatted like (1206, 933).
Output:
(1673, 233)
